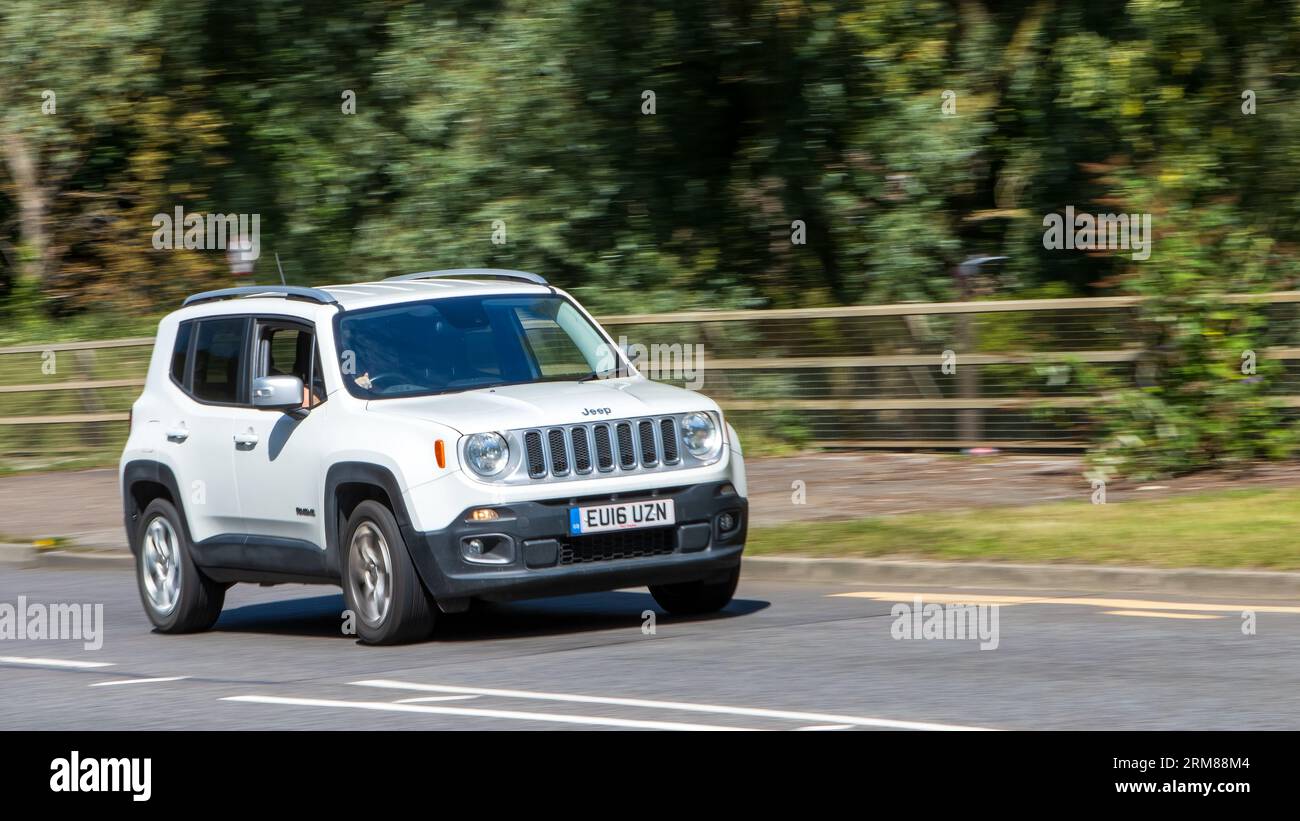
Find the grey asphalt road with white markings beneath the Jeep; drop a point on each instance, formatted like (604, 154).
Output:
(782, 657)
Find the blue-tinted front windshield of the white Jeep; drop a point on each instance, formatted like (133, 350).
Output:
(467, 342)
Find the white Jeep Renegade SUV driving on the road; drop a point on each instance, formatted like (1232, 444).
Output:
(422, 442)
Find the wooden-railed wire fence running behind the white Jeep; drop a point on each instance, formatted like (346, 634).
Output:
(907, 376)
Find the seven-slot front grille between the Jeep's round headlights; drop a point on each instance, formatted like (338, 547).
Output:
(601, 446)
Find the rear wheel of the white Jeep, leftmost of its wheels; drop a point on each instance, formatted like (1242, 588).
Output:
(198, 600)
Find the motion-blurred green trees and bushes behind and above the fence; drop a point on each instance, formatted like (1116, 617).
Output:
(905, 136)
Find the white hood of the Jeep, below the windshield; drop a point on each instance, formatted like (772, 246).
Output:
(547, 403)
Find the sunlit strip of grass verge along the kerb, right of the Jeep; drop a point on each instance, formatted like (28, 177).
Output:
(1256, 529)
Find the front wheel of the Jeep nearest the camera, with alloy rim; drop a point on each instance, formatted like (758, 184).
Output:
(410, 613)
